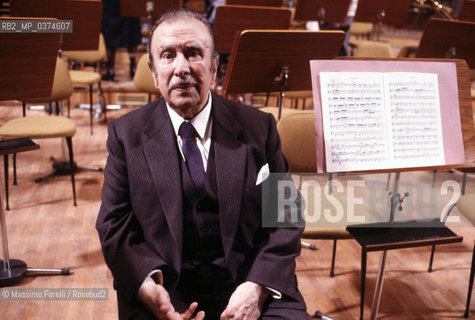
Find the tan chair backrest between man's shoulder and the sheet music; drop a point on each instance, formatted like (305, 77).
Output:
(297, 133)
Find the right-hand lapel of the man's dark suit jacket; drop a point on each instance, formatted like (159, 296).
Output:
(230, 154)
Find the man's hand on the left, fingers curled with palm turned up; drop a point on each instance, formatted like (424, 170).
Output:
(157, 300)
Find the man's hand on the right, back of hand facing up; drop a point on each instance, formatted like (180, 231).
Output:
(246, 302)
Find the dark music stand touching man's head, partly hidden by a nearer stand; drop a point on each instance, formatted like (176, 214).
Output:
(233, 19)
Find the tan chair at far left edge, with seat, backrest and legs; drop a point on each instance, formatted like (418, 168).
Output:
(45, 127)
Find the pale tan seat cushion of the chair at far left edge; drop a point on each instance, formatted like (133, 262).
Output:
(37, 127)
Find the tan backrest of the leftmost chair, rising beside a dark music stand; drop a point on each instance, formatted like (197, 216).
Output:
(62, 85)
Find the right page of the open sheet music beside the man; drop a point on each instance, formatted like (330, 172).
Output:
(415, 120)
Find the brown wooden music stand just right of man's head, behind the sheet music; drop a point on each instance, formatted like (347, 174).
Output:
(270, 60)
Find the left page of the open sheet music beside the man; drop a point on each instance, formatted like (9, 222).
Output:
(354, 120)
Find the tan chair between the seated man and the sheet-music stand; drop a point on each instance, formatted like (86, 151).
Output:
(297, 133)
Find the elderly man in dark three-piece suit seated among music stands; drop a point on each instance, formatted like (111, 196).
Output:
(180, 222)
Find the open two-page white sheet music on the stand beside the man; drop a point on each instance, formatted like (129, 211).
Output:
(376, 120)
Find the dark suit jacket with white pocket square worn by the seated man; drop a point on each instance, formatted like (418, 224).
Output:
(140, 222)
